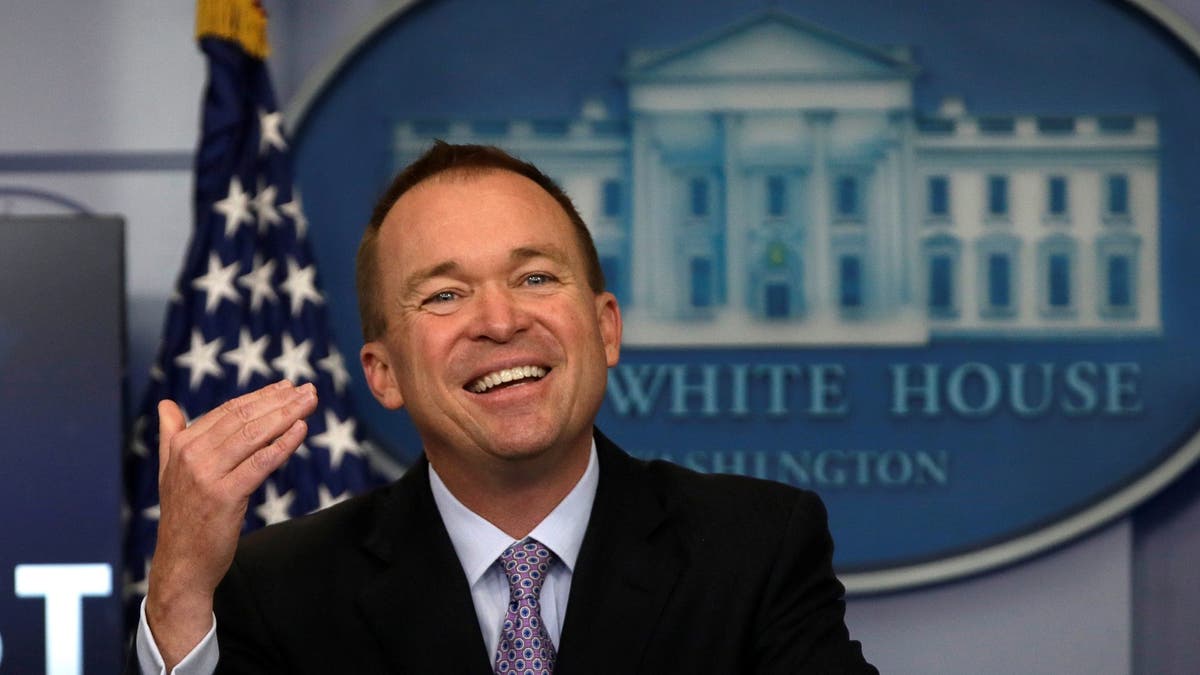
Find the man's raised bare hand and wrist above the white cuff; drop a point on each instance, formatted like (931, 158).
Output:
(207, 474)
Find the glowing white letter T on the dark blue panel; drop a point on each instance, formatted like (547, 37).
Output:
(64, 587)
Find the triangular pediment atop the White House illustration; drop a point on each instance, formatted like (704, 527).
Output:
(770, 46)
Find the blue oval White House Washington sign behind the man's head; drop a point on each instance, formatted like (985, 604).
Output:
(932, 261)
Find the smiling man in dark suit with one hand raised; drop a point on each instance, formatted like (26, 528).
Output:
(484, 314)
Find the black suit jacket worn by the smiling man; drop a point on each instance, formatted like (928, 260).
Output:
(679, 574)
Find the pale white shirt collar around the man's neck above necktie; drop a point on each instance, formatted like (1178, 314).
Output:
(479, 543)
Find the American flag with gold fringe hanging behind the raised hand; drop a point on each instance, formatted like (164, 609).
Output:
(247, 310)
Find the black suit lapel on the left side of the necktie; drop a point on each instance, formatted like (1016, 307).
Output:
(421, 607)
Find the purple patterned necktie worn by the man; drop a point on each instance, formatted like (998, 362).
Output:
(525, 644)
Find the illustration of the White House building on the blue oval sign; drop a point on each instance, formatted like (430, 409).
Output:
(773, 184)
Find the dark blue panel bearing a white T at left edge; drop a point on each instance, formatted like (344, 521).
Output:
(62, 360)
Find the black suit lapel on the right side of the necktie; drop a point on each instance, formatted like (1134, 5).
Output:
(628, 566)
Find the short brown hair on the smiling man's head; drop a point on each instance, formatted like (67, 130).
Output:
(445, 158)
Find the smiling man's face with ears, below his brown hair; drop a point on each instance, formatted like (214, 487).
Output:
(495, 342)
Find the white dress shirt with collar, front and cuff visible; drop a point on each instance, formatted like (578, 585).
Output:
(479, 546)
